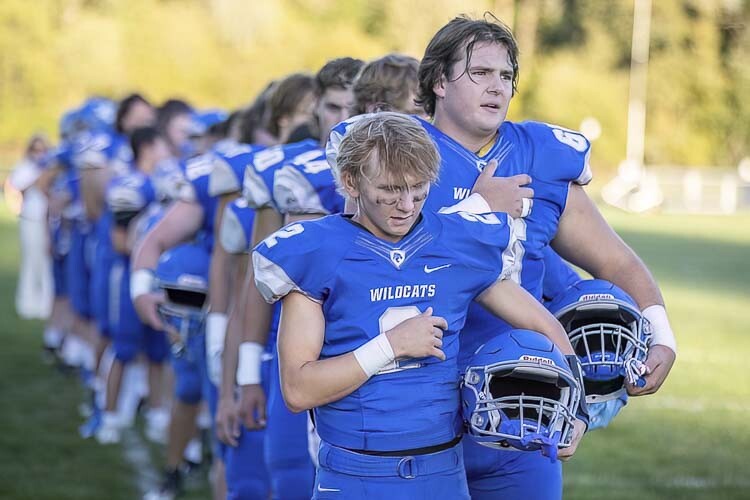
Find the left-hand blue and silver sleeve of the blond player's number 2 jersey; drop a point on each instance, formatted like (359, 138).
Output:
(283, 263)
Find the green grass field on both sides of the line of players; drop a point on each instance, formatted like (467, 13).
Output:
(691, 440)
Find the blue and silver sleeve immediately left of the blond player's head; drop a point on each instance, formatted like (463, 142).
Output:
(306, 185)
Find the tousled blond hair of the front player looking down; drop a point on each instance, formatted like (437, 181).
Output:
(390, 143)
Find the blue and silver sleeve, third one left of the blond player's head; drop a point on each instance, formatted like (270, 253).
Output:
(232, 158)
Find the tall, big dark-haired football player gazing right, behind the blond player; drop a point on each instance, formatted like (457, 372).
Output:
(468, 77)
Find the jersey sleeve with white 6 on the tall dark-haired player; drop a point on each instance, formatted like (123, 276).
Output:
(560, 154)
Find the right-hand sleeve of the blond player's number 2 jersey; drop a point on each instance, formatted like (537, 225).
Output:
(486, 243)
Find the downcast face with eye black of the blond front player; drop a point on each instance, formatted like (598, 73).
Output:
(389, 207)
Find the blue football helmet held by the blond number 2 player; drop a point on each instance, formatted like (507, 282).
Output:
(519, 392)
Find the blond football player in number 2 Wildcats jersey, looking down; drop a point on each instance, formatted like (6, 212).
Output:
(358, 339)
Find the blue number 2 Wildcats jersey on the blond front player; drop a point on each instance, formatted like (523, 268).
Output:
(367, 286)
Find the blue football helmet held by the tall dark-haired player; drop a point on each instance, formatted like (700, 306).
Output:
(608, 334)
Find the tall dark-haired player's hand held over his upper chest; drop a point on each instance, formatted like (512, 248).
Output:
(505, 194)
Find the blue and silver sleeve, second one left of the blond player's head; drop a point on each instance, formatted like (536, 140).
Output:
(258, 181)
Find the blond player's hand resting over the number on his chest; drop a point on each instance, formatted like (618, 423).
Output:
(419, 337)
